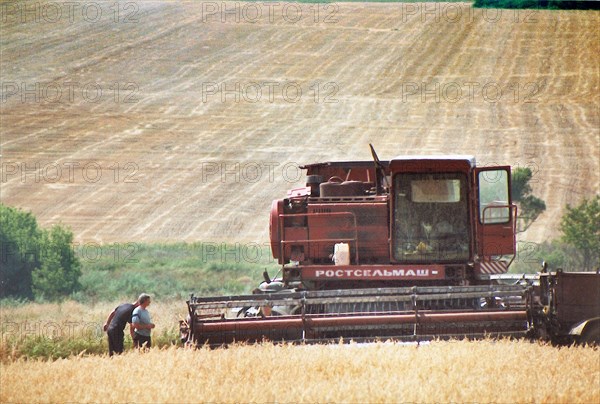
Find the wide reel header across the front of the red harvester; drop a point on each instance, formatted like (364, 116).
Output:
(404, 314)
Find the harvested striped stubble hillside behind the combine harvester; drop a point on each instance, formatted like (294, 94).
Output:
(173, 121)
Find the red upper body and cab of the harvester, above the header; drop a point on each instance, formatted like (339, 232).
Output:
(437, 221)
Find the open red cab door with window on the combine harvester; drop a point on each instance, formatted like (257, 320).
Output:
(496, 215)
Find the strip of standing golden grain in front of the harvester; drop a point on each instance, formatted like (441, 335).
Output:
(482, 371)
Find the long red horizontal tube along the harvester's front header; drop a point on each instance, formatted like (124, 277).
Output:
(307, 327)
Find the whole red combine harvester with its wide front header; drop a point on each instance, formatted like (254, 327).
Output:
(413, 248)
